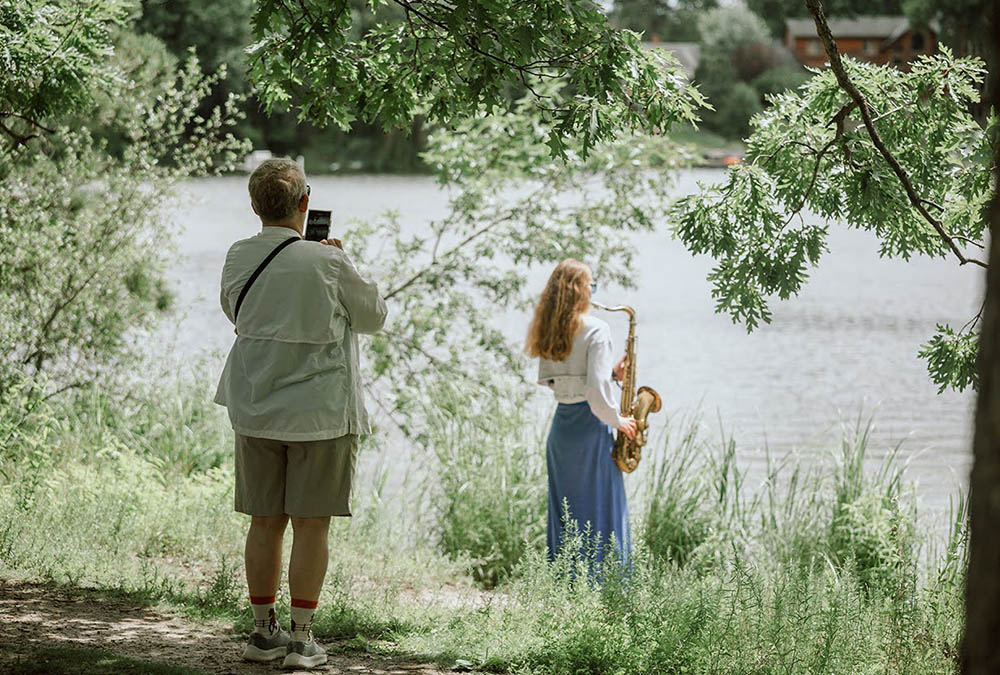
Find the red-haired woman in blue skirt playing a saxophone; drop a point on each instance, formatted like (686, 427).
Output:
(575, 361)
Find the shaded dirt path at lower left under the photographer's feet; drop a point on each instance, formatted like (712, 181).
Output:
(46, 629)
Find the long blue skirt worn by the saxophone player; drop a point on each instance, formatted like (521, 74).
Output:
(583, 473)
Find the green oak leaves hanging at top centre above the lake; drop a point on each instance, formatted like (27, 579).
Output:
(454, 62)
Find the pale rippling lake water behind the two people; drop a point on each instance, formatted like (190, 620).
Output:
(846, 347)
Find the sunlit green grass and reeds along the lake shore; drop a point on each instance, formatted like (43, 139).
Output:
(813, 571)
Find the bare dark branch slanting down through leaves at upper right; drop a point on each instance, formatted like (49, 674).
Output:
(837, 66)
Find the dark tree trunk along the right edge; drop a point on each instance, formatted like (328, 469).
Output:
(981, 644)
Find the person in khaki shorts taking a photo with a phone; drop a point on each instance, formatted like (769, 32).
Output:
(293, 389)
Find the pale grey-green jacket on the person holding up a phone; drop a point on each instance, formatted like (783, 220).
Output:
(293, 372)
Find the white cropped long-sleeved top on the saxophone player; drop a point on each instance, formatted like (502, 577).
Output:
(585, 375)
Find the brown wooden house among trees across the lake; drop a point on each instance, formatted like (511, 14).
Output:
(878, 39)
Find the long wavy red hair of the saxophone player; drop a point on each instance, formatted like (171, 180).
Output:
(557, 316)
